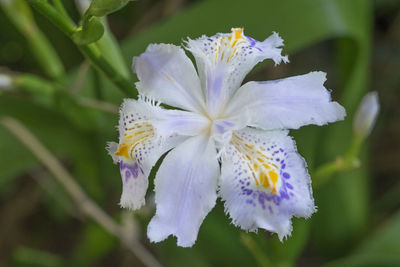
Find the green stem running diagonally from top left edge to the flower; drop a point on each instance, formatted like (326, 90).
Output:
(90, 51)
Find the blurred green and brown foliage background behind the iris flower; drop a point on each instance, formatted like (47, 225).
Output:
(71, 112)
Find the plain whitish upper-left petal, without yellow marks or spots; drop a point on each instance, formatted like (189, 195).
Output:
(166, 74)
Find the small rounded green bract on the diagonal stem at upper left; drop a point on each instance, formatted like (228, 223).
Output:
(91, 31)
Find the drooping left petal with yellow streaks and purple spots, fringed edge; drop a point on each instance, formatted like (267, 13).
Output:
(143, 140)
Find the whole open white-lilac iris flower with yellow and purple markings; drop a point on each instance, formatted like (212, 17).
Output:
(262, 179)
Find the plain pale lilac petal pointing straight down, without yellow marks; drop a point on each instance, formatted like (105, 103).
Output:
(185, 188)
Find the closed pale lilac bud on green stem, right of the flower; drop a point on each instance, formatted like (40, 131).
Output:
(366, 115)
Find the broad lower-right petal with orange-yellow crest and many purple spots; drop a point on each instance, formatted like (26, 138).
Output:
(255, 197)
